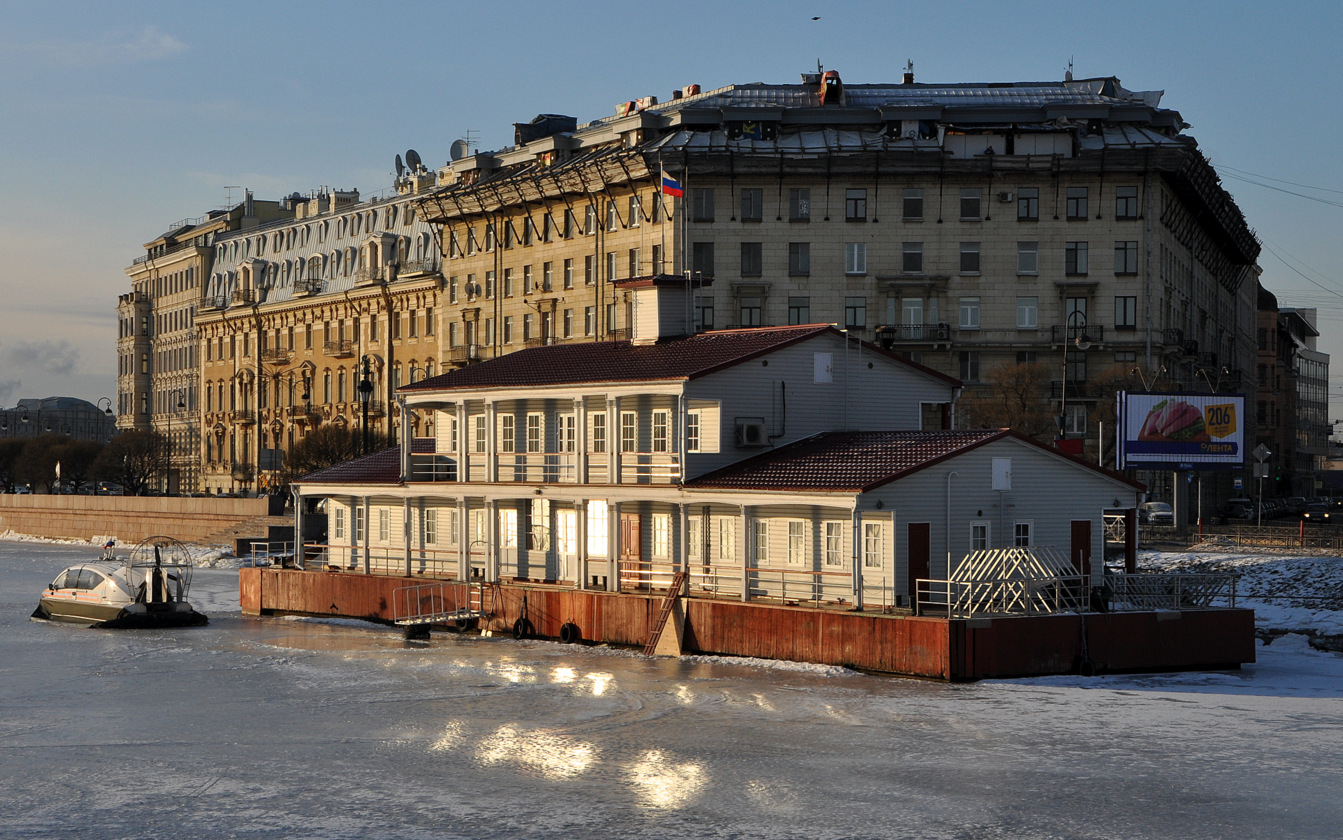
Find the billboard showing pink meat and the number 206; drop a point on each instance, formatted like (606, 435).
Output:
(1181, 431)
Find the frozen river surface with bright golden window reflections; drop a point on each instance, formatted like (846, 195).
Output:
(273, 728)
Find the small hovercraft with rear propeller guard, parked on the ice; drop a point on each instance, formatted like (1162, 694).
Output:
(146, 589)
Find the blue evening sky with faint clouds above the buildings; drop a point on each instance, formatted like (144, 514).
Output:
(123, 119)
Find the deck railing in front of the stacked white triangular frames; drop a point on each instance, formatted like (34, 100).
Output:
(1003, 597)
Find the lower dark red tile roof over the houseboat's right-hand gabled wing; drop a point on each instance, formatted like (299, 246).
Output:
(859, 462)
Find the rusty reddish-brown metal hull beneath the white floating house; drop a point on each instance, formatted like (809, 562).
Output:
(926, 647)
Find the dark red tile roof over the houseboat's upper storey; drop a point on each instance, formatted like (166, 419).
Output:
(684, 358)
